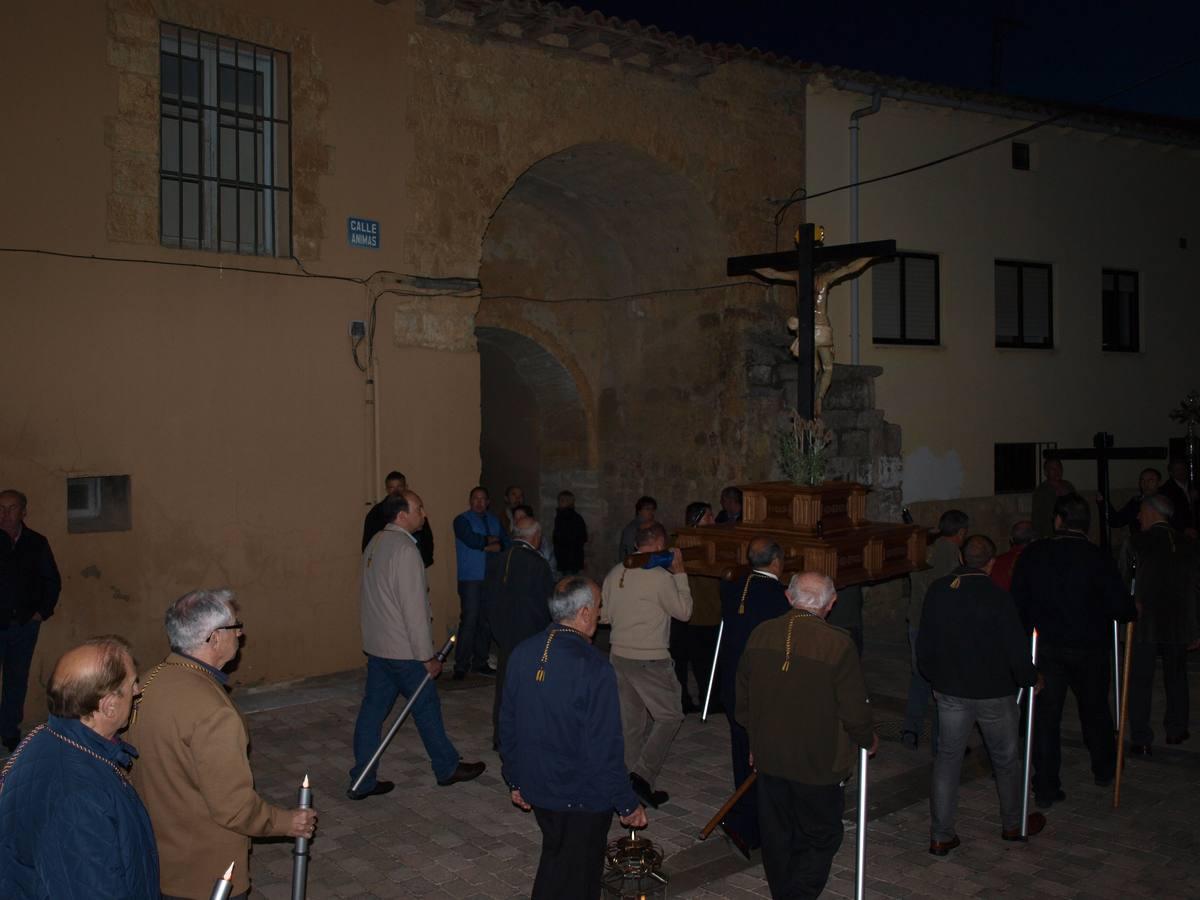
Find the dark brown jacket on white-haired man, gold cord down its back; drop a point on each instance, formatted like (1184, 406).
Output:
(806, 723)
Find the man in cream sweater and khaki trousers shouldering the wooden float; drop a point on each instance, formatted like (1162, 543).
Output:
(640, 604)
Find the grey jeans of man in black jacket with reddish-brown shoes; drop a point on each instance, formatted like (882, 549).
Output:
(999, 719)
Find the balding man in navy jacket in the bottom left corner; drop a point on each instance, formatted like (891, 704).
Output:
(71, 825)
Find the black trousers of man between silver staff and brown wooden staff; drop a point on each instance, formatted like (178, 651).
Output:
(1085, 671)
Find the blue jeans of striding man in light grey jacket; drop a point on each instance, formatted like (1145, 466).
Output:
(387, 680)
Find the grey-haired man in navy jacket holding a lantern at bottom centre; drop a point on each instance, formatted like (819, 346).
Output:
(562, 751)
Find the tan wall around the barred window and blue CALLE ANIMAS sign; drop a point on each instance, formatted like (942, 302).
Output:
(231, 399)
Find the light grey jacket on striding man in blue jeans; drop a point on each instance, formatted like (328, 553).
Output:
(397, 617)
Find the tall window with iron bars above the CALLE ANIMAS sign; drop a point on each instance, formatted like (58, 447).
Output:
(226, 147)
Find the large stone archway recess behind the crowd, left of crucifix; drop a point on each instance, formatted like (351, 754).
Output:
(584, 323)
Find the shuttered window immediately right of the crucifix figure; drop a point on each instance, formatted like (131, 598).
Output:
(905, 301)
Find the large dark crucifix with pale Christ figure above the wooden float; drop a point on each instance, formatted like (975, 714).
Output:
(813, 268)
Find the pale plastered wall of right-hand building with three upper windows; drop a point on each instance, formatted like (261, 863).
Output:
(1091, 202)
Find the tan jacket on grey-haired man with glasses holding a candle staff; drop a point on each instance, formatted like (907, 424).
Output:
(194, 776)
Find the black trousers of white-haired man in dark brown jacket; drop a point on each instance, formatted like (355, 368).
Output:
(801, 835)
